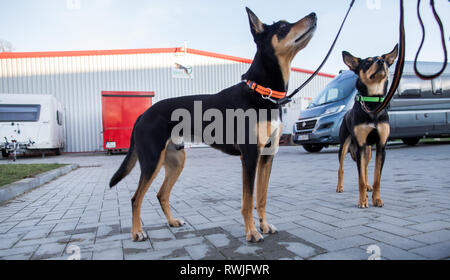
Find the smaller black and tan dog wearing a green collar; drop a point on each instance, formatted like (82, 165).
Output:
(361, 129)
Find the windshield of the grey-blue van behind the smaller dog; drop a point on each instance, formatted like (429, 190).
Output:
(338, 89)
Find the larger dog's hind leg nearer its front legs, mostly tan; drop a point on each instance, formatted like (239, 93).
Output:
(173, 165)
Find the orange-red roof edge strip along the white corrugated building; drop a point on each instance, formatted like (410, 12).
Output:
(16, 55)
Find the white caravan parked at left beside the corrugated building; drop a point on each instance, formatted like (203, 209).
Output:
(31, 122)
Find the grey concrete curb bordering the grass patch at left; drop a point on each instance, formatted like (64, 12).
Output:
(17, 188)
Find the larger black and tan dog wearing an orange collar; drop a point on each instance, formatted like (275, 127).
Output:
(267, 78)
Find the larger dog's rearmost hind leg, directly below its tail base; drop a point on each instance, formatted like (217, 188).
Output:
(150, 161)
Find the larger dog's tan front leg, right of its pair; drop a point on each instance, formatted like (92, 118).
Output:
(262, 183)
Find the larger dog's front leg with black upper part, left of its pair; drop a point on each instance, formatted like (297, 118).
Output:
(249, 160)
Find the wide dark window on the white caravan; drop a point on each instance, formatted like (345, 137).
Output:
(19, 113)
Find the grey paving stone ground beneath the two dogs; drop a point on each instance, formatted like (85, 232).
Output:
(314, 222)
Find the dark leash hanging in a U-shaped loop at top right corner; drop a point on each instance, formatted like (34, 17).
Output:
(441, 28)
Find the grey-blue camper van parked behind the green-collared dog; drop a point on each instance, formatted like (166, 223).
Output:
(419, 109)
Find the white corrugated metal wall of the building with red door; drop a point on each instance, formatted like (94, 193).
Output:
(77, 81)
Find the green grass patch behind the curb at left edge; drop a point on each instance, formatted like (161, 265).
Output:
(10, 173)
